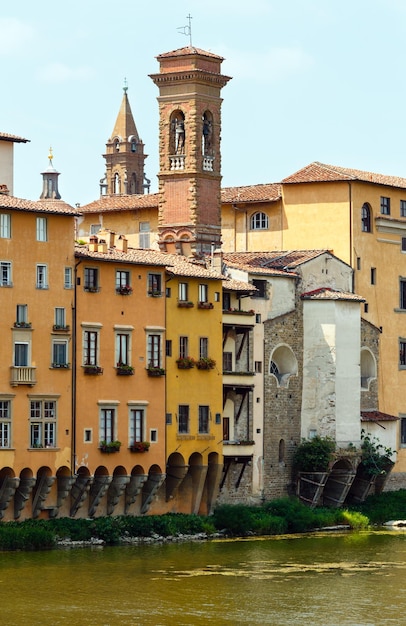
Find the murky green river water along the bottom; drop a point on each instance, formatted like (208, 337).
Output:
(354, 579)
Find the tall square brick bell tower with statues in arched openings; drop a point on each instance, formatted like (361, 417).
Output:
(189, 82)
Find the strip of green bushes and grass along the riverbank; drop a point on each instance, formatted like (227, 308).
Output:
(285, 515)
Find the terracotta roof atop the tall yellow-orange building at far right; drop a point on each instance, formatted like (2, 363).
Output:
(320, 172)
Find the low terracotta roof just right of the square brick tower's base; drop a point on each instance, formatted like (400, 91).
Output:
(273, 263)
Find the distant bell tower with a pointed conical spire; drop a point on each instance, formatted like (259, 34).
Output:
(124, 156)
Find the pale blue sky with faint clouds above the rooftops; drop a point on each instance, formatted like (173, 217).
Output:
(311, 81)
